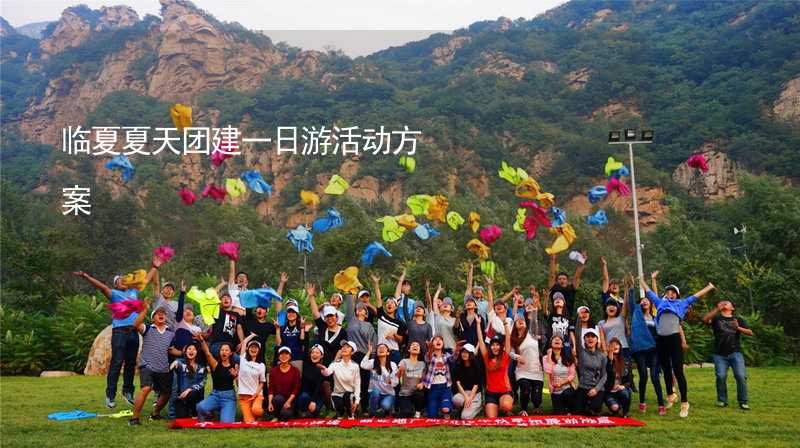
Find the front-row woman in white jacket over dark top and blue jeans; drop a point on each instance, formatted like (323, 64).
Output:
(382, 381)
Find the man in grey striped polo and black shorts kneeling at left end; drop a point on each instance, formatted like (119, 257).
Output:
(154, 366)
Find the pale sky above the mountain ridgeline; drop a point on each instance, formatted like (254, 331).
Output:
(358, 27)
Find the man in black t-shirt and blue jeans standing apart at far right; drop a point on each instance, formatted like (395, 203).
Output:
(728, 351)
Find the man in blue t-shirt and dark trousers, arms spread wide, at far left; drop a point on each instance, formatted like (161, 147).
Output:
(124, 336)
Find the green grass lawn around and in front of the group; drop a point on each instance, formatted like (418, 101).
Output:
(773, 421)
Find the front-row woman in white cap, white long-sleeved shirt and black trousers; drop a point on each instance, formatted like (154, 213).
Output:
(346, 381)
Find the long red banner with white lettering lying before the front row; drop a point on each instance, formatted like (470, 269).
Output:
(511, 422)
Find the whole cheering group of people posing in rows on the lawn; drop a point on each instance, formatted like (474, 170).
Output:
(363, 353)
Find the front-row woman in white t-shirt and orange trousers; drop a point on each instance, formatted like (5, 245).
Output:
(251, 379)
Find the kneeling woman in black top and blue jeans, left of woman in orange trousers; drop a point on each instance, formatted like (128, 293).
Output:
(223, 373)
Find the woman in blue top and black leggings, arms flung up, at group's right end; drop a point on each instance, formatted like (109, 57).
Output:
(670, 310)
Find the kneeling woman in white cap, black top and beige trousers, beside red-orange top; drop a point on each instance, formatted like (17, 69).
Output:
(468, 379)
